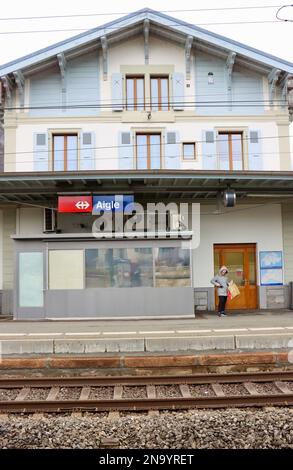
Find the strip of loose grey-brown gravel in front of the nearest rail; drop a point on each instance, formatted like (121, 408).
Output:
(230, 428)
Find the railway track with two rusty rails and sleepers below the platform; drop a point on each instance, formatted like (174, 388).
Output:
(136, 393)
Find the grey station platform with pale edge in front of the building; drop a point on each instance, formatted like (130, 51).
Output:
(238, 331)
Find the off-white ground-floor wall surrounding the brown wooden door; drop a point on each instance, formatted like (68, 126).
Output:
(261, 225)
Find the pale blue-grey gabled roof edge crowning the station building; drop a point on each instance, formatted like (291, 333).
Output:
(155, 17)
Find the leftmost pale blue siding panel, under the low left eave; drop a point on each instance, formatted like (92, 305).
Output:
(45, 93)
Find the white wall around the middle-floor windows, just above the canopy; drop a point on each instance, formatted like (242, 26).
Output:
(107, 138)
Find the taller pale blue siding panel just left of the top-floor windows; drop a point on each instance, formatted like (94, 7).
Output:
(83, 85)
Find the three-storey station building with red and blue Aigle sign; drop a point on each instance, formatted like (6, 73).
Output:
(153, 110)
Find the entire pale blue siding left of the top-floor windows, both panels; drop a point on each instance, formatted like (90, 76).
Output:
(82, 88)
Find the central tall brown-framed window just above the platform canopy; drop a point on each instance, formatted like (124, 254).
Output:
(148, 151)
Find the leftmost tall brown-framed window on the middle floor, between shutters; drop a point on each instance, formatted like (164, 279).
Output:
(65, 152)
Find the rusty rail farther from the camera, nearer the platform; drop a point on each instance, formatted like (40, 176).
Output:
(48, 382)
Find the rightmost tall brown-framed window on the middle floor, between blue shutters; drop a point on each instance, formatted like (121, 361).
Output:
(230, 151)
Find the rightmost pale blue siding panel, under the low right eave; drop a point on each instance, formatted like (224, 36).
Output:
(247, 93)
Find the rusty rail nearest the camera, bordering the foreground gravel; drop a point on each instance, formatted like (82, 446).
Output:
(138, 404)
